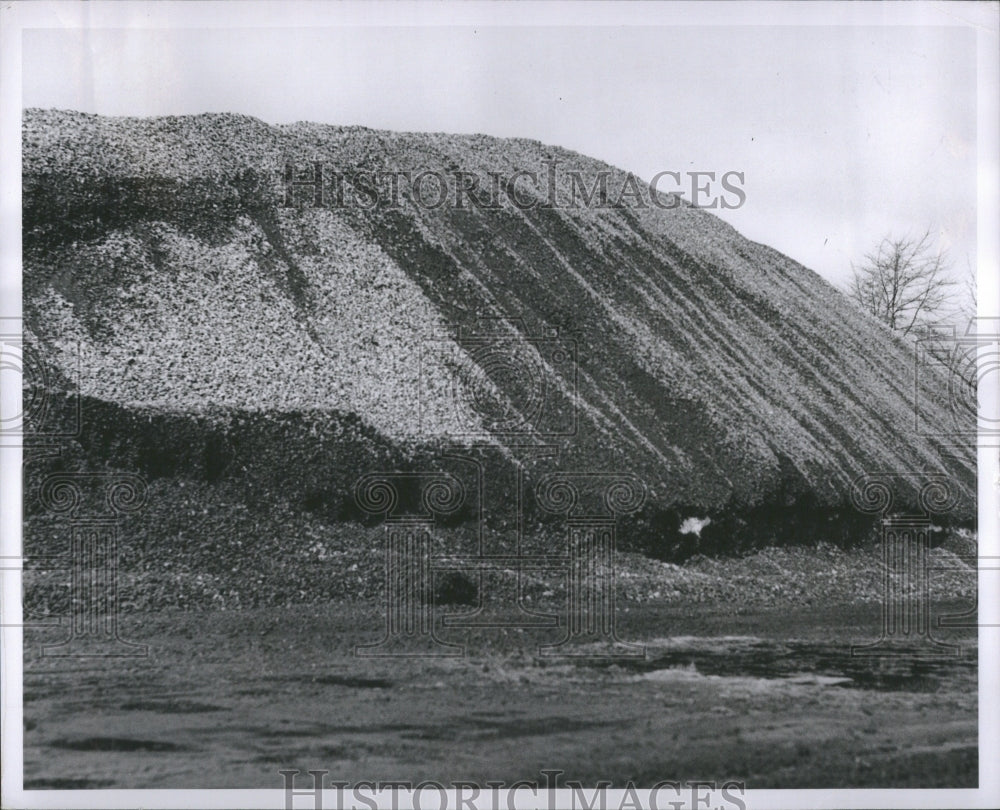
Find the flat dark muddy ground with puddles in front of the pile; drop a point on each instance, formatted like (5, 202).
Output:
(769, 697)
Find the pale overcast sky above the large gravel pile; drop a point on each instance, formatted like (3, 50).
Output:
(844, 134)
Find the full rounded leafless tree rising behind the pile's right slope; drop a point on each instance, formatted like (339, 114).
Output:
(904, 283)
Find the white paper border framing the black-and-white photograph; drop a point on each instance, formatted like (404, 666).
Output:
(17, 17)
